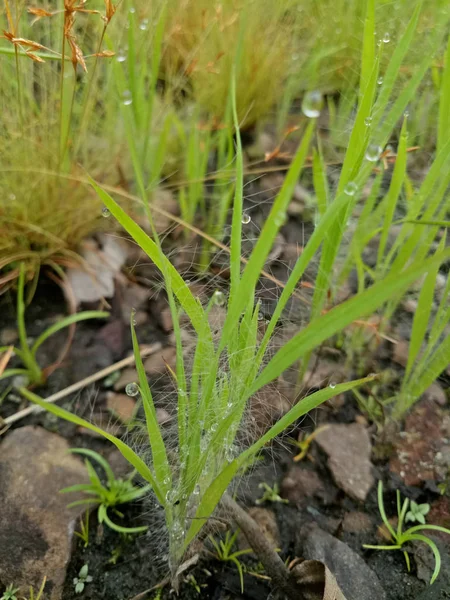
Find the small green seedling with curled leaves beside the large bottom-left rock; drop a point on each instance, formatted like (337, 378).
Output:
(115, 492)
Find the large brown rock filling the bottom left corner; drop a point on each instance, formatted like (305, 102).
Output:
(36, 527)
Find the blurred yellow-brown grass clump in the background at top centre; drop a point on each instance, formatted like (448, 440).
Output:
(201, 42)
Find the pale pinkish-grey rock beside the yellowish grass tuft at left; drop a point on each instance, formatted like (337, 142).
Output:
(96, 280)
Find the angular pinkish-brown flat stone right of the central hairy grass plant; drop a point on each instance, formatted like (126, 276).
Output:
(348, 448)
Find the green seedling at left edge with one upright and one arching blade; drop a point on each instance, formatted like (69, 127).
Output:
(31, 369)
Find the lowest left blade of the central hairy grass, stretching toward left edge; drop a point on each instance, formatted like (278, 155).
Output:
(125, 450)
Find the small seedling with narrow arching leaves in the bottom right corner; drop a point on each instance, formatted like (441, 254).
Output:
(400, 538)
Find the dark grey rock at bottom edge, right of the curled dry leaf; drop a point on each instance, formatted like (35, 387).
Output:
(356, 580)
